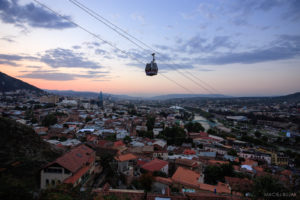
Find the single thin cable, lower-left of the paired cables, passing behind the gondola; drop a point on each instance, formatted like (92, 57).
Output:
(106, 42)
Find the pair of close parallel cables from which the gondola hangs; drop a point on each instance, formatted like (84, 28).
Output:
(119, 30)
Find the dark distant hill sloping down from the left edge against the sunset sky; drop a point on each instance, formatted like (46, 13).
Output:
(8, 83)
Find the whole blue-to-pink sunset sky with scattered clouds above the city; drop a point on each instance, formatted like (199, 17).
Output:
(239, 48)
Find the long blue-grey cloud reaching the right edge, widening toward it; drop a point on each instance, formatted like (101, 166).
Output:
(286, 47)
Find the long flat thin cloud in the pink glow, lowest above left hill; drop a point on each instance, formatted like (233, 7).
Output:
(53, 75)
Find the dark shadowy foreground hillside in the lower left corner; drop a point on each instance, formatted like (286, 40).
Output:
(22, 154)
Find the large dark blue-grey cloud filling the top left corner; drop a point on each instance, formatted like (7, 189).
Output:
(13, 13)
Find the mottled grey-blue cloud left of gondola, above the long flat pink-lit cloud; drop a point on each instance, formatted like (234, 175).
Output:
(67, 58)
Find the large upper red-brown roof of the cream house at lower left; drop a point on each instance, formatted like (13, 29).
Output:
(75, 158)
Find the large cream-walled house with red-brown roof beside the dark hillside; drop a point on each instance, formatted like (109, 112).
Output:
(73, 167)
